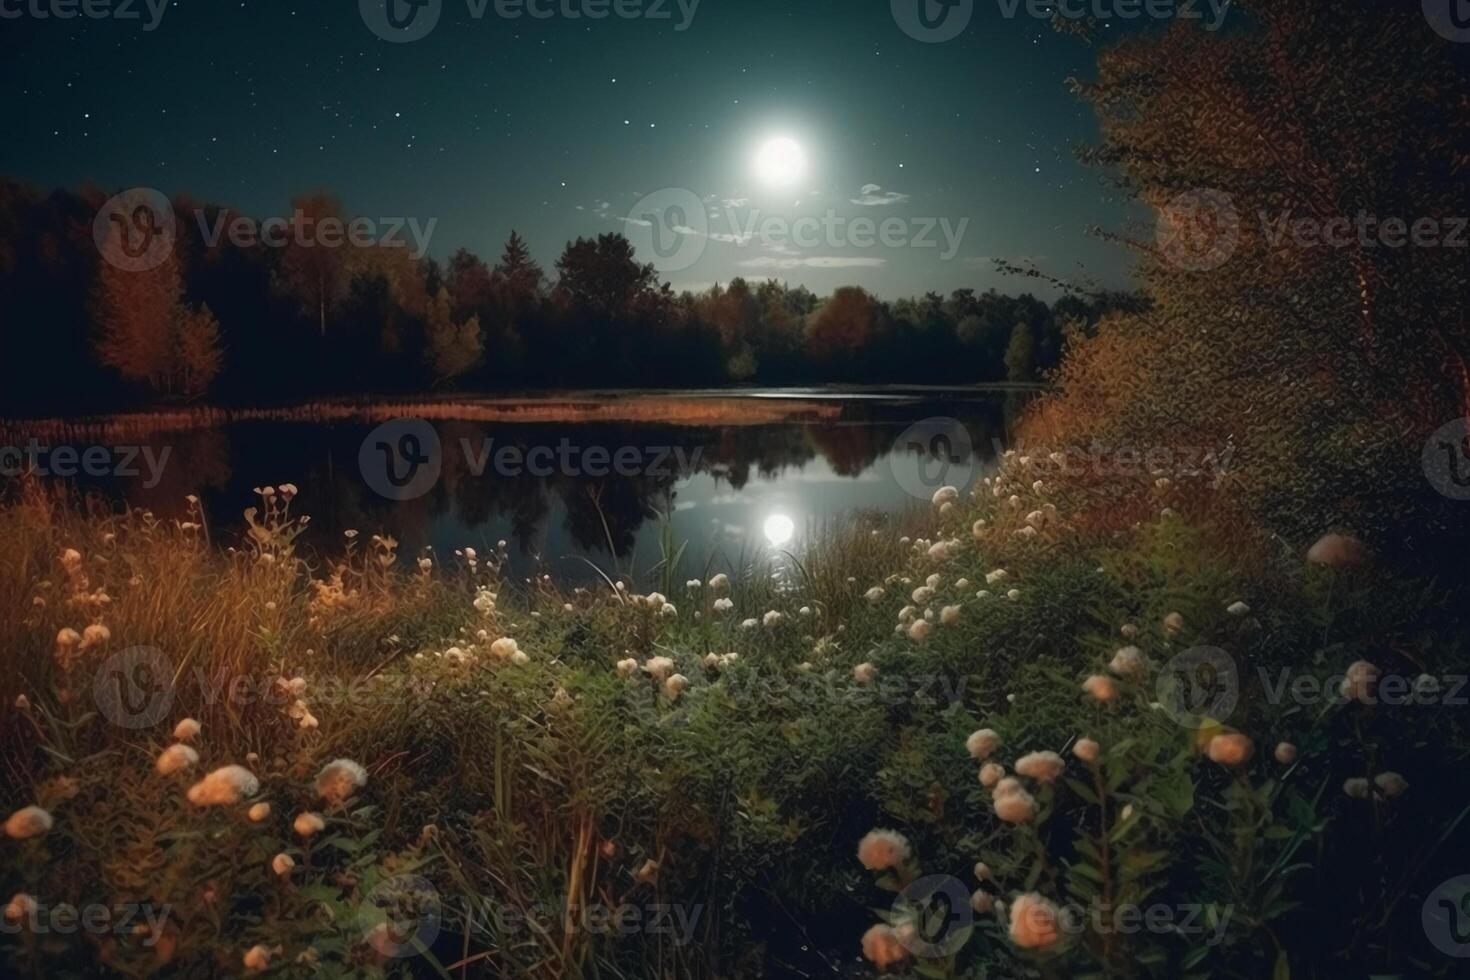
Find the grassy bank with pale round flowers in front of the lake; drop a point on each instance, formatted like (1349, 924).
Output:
(680, 778)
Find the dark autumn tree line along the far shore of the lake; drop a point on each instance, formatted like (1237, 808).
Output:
(245, 323)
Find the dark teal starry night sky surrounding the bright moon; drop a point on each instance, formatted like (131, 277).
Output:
(559, 127)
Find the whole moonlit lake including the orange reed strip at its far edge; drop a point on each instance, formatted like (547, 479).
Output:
(562, 480)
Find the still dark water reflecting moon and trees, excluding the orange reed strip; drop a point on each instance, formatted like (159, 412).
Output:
(559, 493)
